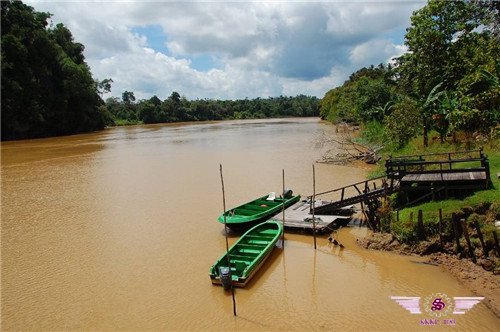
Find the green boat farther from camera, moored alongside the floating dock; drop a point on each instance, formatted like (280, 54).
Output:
(258, 210)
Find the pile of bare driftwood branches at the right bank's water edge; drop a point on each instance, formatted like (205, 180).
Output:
(345, 150)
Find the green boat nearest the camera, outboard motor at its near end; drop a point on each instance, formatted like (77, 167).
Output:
(246, 256)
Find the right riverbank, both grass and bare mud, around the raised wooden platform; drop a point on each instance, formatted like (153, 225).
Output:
(479, 208)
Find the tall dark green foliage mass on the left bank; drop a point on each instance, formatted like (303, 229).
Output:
(47, 88)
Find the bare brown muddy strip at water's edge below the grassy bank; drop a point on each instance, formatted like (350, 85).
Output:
(482, 278)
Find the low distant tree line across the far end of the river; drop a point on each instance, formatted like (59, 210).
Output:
(176, 109)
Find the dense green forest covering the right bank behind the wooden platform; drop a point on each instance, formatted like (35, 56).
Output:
(449, 81)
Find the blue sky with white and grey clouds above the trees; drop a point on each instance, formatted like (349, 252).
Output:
(232, 49)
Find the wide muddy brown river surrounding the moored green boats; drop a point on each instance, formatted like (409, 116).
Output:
(117, 230)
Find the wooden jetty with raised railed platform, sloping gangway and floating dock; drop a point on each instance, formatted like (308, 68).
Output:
(415, 177)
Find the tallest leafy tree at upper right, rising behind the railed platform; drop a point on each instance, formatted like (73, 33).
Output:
(450, 43)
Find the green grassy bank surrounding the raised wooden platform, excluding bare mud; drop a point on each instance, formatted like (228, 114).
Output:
(483, 206)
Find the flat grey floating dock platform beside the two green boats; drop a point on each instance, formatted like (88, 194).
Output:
(299, 219)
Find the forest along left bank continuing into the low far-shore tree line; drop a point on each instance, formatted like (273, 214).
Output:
(48, 89)
